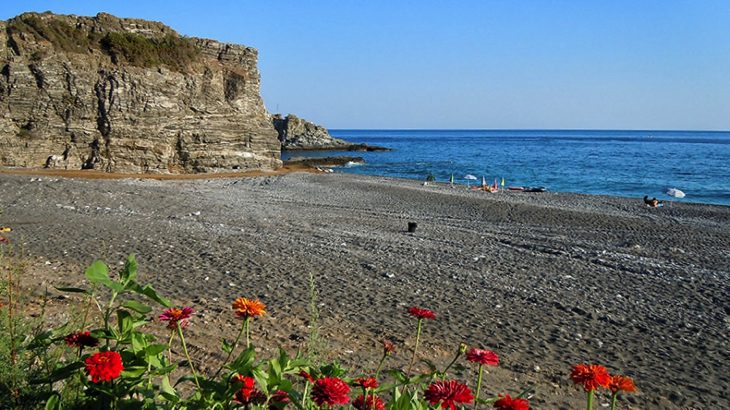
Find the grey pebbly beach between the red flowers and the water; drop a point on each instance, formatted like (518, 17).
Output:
(546, 280)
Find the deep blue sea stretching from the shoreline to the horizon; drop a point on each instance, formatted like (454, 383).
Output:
(621, 163)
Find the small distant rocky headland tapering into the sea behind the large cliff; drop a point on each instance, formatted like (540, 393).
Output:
(296, 134)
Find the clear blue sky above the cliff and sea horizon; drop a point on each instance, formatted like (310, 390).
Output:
(468, 64)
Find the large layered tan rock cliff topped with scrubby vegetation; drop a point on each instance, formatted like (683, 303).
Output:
(70, 97)
